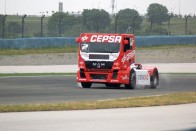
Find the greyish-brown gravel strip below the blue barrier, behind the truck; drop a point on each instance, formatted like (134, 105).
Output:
(181, 54)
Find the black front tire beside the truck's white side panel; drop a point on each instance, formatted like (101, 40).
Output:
(132, 81)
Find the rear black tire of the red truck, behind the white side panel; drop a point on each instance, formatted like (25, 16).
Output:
(154, 80)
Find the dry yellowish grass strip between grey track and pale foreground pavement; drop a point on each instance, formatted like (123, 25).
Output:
(170, 99)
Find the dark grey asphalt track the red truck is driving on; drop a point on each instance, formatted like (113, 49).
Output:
(57, 89)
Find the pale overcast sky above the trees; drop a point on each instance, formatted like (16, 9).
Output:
(39, 7)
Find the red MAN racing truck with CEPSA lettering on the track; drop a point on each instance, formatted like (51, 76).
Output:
(110, 59)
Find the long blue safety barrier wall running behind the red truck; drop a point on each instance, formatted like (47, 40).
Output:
(47, 42)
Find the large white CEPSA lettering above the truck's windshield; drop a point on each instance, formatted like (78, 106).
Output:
(105, 38)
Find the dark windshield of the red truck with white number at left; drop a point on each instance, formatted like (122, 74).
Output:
(93, 47)
